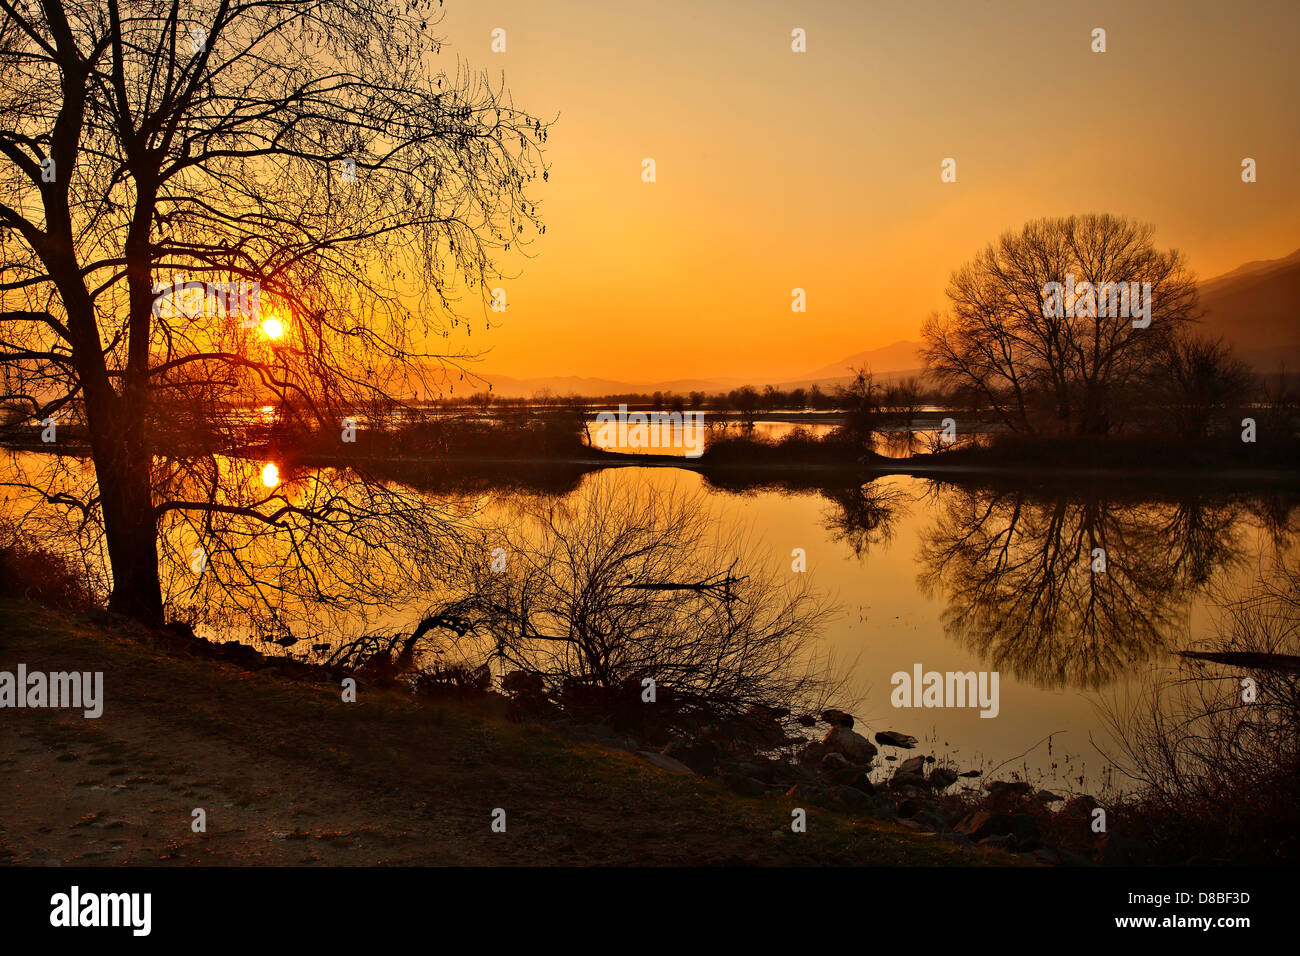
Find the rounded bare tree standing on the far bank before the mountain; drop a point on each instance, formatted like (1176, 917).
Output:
(1074, 369)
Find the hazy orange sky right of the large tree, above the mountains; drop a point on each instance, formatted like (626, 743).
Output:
(822, 170)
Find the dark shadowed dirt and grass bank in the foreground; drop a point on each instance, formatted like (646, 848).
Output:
(289, 775)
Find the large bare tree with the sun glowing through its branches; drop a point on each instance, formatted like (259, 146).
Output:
(315, 149)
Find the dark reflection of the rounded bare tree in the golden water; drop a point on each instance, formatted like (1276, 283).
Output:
(1017, 572)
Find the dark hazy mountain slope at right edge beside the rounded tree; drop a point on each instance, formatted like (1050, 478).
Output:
(1256, 310)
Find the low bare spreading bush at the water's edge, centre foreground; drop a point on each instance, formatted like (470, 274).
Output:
(608, 592)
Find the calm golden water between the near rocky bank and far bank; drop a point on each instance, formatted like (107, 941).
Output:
(957, 578)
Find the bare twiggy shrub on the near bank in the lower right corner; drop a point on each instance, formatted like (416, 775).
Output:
(1214, 743)
